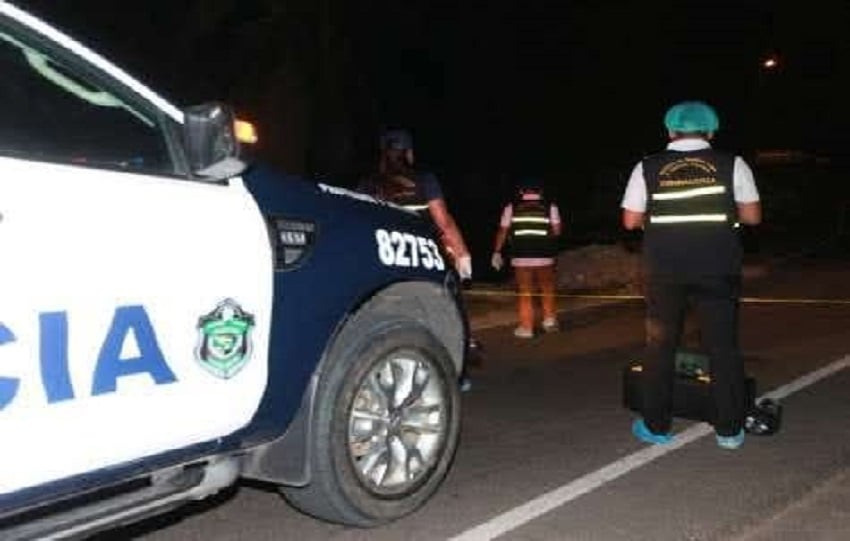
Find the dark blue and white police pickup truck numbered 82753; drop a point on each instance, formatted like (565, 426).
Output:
(171, 322)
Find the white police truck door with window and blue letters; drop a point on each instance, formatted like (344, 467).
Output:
(134, 302)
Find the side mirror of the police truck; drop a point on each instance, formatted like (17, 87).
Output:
(209, 138)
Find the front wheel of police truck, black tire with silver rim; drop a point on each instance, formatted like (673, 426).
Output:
(339, 490)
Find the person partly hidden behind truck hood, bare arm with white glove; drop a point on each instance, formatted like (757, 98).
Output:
(398, 181)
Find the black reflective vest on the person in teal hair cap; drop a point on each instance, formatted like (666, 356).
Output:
(691, 218)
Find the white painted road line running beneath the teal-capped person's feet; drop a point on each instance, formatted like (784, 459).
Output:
(520, 515)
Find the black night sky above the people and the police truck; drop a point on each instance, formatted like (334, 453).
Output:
(574, 91)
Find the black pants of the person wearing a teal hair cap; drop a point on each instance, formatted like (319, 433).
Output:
(716, 300)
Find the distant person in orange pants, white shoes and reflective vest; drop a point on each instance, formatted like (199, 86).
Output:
(529, 228)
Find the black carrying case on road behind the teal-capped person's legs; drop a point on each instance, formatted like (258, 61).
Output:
(691, 388)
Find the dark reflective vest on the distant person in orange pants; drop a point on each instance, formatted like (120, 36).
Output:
(530, 233)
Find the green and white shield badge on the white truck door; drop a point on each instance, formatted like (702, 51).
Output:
(224, 339)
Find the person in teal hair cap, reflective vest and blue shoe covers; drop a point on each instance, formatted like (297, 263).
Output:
(690, 200)
